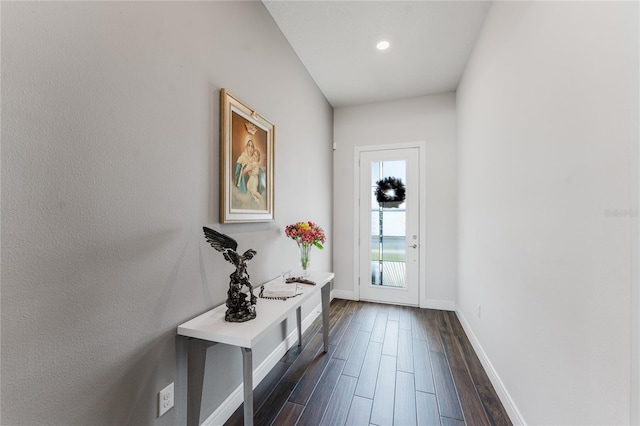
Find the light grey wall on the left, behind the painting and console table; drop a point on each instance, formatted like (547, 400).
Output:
(109, 170)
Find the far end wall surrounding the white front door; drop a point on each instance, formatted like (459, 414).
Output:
(430, 119)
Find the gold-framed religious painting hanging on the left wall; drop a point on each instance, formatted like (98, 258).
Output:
(246, 163)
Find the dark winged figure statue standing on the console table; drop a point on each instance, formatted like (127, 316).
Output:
(241, 306)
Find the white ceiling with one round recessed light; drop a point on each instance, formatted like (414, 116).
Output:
(430, 44)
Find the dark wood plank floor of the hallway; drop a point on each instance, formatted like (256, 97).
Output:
(386, 365)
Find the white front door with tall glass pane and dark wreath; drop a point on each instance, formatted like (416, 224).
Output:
(389, 233)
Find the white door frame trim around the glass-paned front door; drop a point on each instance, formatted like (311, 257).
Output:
(422, 222)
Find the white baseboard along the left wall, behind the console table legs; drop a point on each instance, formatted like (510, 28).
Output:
(235, 399)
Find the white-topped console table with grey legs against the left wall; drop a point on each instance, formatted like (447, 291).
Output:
(211, 328)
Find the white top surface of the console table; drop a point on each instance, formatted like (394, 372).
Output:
(211, 325)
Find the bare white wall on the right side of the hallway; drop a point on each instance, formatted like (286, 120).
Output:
(548, 157)
